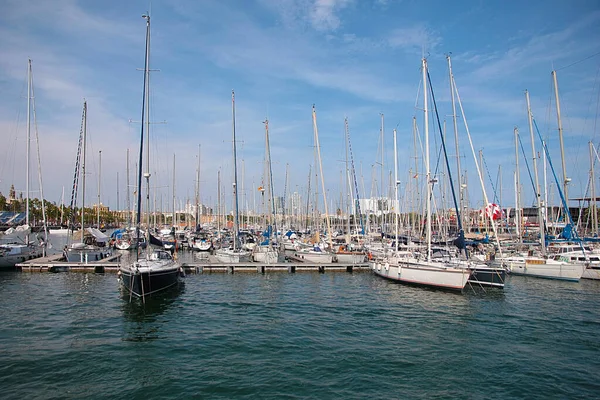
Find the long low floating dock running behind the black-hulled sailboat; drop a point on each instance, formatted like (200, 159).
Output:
(206, 264)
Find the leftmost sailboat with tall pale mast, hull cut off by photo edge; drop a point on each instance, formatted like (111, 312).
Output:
(14, 250)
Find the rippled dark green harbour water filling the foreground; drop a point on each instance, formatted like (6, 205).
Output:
(304, 335)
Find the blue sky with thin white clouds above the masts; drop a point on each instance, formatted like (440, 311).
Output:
(351, 58)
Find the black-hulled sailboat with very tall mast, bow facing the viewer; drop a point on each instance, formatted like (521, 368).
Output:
(159, 270)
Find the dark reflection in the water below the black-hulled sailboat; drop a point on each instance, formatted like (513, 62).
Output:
(145, 321)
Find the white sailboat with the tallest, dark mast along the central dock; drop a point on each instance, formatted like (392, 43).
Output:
(234, 253)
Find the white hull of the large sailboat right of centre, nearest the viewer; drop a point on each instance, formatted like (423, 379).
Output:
(423, 273)
